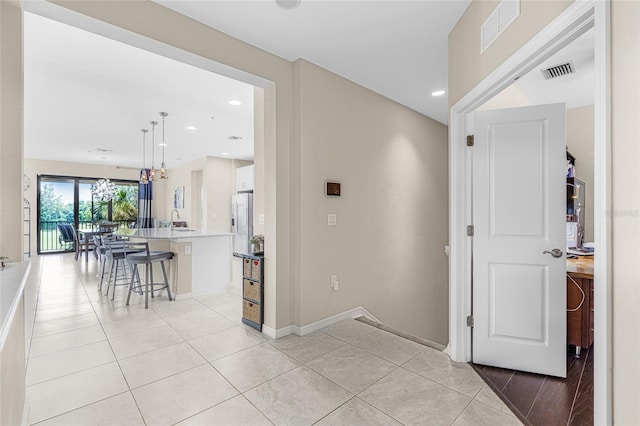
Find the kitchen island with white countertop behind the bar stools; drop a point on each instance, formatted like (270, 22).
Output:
(202, 262)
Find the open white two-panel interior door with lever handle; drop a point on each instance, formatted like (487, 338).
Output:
(519, 289)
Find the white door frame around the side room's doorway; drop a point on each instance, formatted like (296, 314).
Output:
(574, 21)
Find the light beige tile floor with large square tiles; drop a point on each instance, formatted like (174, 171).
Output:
(92, 361)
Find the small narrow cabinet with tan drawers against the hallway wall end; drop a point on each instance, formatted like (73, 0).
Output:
(253, 291)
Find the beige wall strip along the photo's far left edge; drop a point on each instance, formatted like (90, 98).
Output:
(11, 152)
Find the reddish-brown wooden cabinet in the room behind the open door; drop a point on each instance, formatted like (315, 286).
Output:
(579, 311)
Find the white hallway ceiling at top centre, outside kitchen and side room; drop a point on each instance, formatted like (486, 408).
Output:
(395, 48)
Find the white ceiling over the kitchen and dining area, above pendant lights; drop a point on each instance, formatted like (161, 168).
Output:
(85, 92)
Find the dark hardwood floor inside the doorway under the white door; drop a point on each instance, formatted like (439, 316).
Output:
(544, 400)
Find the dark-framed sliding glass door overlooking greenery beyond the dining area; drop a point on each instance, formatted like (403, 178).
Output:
(66, 200)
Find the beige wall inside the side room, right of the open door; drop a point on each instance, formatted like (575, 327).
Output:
(580, 144)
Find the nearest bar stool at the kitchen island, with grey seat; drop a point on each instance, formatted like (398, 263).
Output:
(137, 253)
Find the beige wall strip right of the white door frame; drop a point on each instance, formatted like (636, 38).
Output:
(625, 134)
